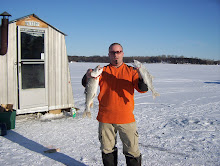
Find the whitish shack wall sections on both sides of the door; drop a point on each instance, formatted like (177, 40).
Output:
(60, 94)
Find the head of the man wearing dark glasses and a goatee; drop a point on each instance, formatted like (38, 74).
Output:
(116, 54)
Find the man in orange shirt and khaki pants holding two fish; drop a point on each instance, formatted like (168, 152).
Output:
(116, 104)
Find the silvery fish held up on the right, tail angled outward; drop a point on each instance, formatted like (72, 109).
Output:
(147, 77)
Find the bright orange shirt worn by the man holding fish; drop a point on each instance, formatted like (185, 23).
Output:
(116, 97)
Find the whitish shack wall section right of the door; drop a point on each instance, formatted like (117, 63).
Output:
(60, 94)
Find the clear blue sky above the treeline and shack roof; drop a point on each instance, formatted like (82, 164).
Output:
(189, 28)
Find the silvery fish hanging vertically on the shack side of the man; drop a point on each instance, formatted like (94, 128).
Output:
(91, 90)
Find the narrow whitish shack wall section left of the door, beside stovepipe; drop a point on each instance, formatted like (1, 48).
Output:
(8, 70)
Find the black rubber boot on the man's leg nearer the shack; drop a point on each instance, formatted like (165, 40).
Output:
(110, 159)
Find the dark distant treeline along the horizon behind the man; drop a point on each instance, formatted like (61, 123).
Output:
(153, 59)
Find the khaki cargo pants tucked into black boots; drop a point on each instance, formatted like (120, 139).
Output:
(128, 134)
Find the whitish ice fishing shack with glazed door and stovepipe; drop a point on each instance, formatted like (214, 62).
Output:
(34, 70)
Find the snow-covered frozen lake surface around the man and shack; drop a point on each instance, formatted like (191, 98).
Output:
(181, 127)
